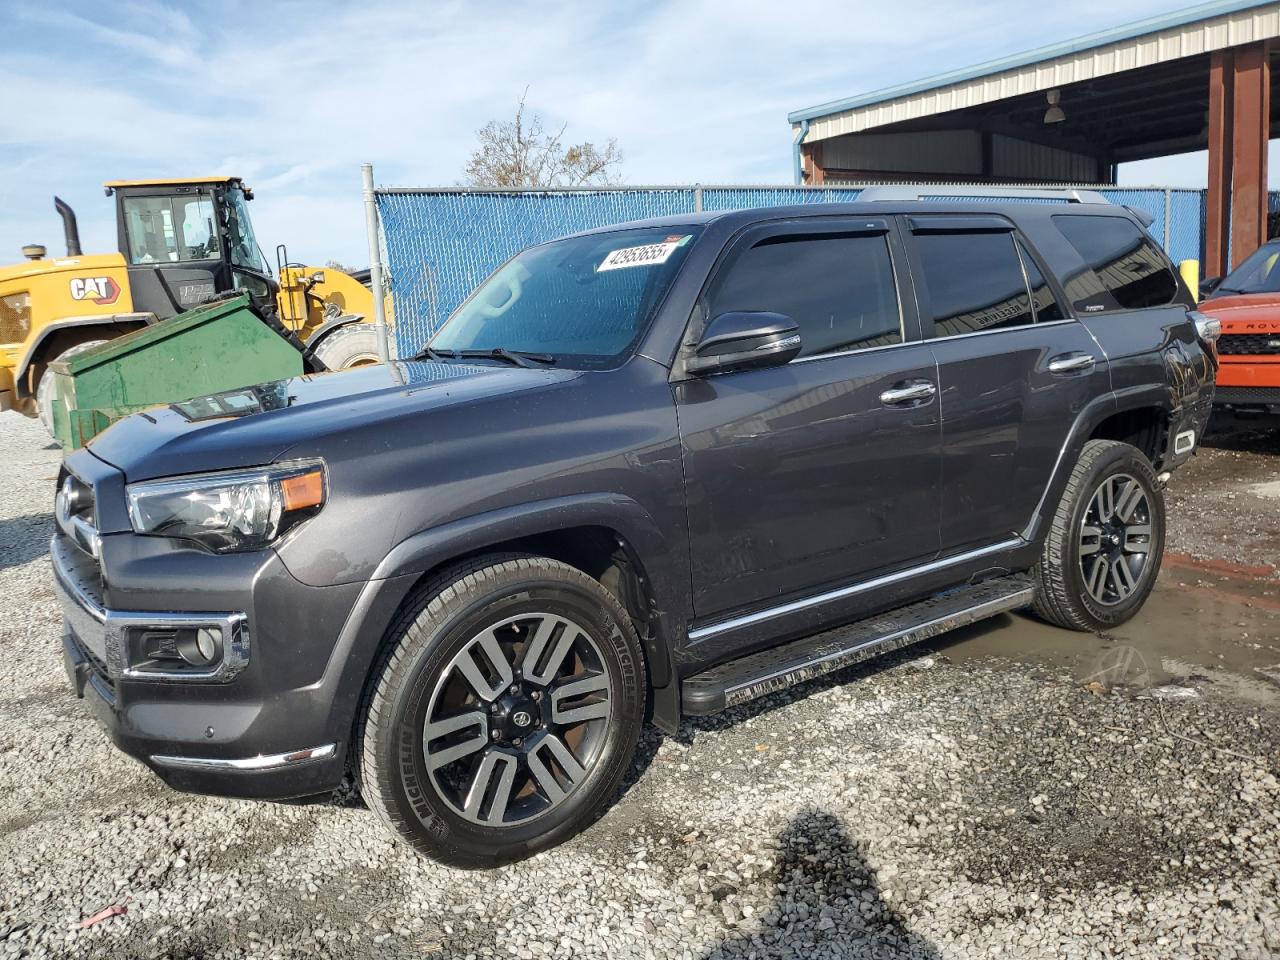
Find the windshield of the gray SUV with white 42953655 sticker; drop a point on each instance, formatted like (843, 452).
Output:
(584, 301)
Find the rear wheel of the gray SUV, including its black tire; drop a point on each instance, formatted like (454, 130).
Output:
(1105, 542)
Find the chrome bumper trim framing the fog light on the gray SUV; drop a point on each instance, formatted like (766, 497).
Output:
(104, 632)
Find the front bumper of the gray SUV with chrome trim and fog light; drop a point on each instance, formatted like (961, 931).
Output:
(246, 730)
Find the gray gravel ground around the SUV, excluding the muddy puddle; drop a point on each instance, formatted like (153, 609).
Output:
(938, 807)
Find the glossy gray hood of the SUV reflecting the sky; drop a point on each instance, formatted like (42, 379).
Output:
(257, 426)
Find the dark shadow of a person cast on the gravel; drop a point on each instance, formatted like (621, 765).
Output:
(829, 903)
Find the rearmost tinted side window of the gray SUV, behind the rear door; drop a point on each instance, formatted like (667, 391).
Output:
(1126, 260)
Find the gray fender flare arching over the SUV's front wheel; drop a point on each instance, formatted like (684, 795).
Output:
(404, 566)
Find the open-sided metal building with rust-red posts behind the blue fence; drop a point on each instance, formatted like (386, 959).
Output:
(1192, 80)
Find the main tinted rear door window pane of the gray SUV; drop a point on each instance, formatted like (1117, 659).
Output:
(975, 282)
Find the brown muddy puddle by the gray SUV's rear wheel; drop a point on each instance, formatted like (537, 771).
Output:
(1213, 627)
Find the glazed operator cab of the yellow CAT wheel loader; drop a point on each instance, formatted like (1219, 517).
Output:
(185, 241)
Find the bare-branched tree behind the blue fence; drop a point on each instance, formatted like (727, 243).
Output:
(522, 154)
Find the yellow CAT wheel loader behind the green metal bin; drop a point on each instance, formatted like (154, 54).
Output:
(181, 243)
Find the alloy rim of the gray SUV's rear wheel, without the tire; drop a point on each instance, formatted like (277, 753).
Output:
(1116, 540)
